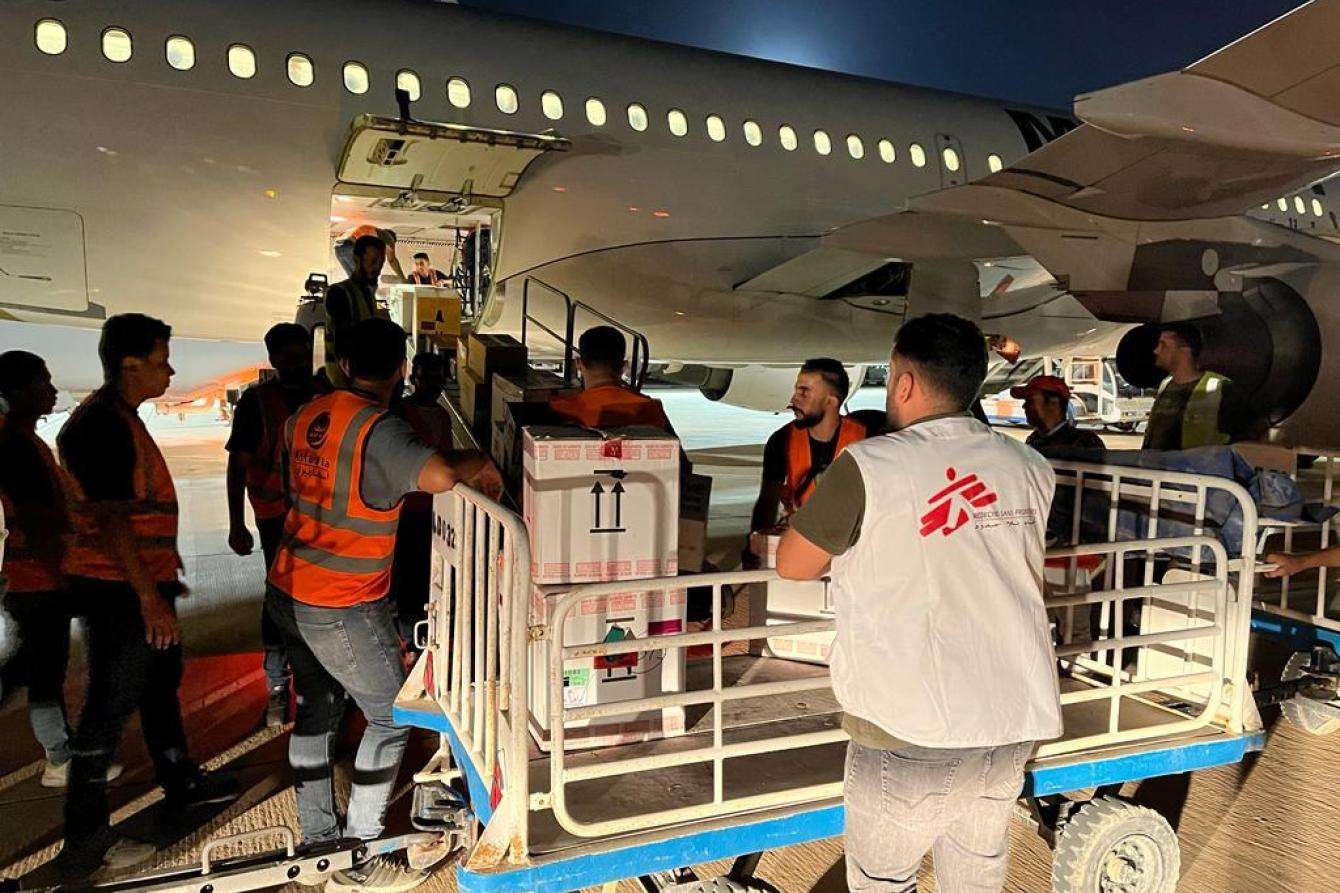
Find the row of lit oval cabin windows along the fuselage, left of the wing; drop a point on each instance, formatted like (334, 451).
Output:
(180, 52)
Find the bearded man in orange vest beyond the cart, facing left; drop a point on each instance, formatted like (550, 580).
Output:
(798, 454)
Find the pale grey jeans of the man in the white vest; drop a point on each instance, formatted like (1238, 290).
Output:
(955, 804)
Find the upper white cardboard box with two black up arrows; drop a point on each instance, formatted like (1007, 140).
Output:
(601, 506)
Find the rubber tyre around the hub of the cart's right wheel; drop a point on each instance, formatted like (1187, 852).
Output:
(1091, 833)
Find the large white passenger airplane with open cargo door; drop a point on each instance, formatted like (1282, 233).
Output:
(195, 162)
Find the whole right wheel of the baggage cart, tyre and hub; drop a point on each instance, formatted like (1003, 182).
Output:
(1113, 847)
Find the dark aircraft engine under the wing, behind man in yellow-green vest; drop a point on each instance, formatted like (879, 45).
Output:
(1266, 339)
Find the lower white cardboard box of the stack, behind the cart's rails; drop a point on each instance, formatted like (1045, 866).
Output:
(621, 678)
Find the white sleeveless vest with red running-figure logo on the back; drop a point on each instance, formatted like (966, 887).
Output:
(943, 638)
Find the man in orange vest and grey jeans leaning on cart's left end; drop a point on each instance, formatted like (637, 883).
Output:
(350, 465)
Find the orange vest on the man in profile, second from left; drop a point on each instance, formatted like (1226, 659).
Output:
(152, 516)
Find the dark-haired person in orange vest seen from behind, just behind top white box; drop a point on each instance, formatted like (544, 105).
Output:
(605, 402)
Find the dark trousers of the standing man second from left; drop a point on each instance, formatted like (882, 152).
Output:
(125, 675)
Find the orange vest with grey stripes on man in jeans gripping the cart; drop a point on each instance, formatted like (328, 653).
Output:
(337, 549)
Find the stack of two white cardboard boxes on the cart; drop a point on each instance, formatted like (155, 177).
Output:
(605, 508)
